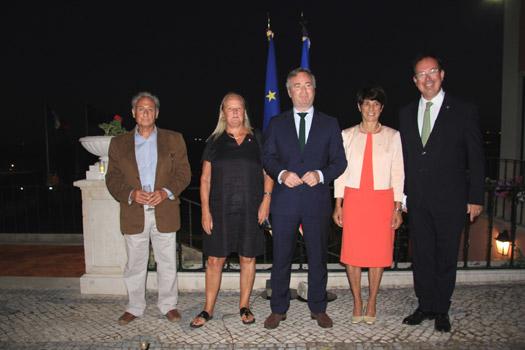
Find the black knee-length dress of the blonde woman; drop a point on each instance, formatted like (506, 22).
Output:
(236, 191)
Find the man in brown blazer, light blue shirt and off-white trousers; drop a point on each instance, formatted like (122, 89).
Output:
(148, 169)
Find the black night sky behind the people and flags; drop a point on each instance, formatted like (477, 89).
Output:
(74, 54)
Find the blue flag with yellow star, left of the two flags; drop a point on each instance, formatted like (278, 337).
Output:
(271, 91)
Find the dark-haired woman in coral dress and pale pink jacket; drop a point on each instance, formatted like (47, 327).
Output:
(368, 199)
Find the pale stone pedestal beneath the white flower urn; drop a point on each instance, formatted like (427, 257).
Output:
(104, 247)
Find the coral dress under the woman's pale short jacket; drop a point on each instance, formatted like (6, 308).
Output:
(368, 237)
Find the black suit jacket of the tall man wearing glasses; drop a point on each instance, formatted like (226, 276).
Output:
(448, 172)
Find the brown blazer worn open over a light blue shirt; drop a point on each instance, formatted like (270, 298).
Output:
(173, 172)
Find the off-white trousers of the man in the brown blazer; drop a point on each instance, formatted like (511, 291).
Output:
(164, 249)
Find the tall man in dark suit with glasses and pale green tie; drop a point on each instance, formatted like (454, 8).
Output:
(444, 174)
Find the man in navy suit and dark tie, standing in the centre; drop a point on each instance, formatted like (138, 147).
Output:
(303, 153)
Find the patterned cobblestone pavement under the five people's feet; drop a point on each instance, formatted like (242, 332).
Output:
(483, 317)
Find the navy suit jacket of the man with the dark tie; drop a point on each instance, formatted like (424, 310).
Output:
(323, 151)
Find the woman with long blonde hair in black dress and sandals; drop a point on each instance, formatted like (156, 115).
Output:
(235, 199)
